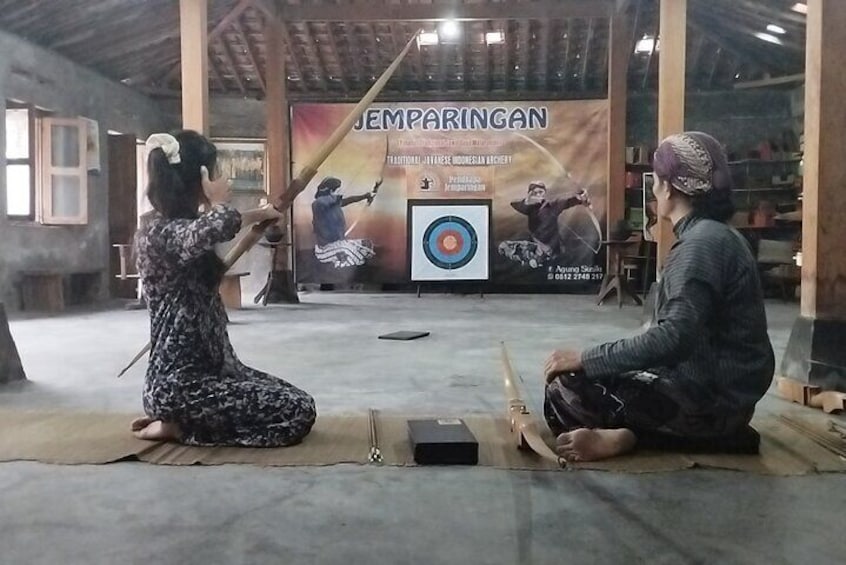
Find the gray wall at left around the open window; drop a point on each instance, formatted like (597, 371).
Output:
(34, 75)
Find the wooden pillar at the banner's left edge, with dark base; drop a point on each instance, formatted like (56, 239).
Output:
(282, 287)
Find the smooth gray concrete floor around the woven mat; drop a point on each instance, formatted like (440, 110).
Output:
(139, 513)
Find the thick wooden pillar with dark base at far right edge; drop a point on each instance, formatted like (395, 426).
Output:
(815, 352)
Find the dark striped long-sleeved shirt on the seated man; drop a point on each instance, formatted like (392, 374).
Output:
(709, 328)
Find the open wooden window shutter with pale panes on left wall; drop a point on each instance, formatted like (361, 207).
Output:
(63, 187)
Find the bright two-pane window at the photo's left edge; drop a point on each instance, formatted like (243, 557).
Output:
(20, 162)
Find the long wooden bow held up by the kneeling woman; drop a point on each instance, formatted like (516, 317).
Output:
(285, 198)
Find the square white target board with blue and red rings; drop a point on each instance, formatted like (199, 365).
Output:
(449, 240)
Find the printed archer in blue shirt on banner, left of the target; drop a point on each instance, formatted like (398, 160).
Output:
(330, 228)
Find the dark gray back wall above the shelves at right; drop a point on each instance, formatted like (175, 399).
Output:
(739, 119)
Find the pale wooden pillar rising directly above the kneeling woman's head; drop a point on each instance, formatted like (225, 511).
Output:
(193, 33)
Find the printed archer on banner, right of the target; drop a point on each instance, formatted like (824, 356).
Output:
(545, 245)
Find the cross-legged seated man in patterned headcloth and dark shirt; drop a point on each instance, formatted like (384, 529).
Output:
(695, 375)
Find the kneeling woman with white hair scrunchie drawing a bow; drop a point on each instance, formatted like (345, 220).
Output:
(196, 390)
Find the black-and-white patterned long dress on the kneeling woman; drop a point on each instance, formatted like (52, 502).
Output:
(194, 377)
